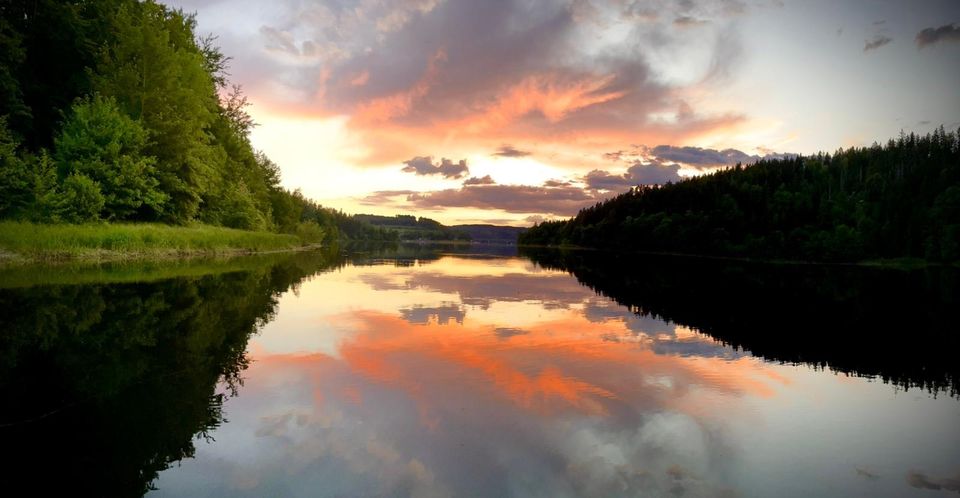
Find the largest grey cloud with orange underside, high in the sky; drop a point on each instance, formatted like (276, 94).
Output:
(509, 72)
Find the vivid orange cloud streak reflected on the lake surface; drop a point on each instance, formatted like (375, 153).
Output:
(554, 367)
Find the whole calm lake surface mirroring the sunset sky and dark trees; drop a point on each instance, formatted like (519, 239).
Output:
(432, 371)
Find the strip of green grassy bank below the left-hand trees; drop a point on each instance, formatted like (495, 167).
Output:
(28, 242)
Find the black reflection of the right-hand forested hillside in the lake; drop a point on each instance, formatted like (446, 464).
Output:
(898, 325)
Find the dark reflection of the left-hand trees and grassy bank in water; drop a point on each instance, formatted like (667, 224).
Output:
(104, 385)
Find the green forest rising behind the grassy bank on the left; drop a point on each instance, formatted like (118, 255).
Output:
(118, 110)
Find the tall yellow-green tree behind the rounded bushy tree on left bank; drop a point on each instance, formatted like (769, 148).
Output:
(158, 74)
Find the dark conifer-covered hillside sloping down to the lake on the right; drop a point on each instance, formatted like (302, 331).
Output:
(901, 199)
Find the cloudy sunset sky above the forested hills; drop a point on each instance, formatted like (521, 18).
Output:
(515, 111)
